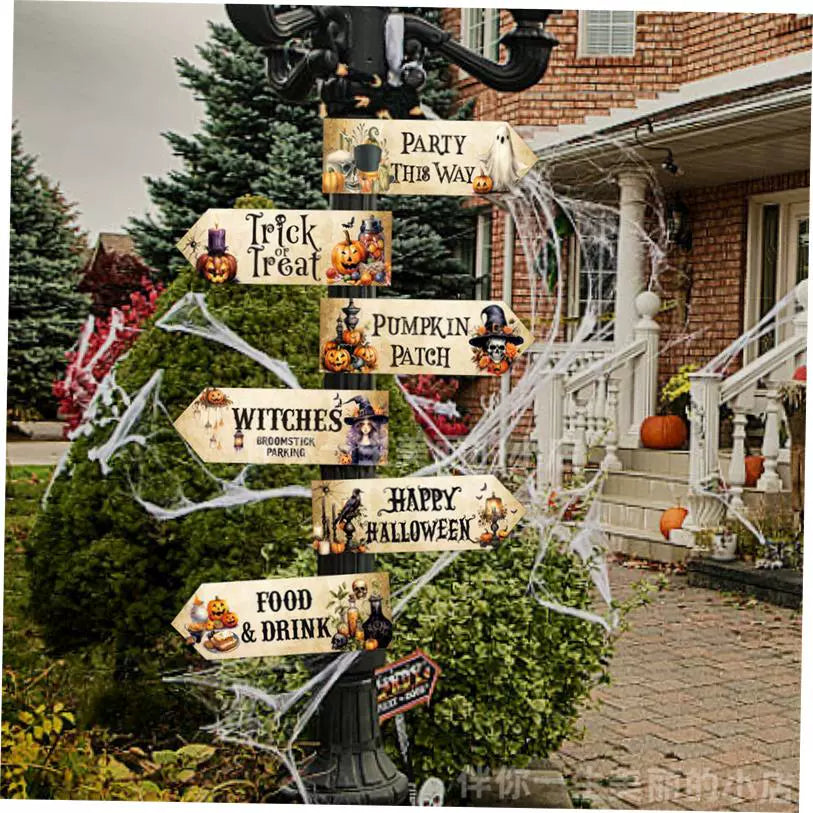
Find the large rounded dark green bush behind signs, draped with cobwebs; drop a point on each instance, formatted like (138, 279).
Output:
(102, 569)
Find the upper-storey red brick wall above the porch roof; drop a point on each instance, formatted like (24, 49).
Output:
(671, 48)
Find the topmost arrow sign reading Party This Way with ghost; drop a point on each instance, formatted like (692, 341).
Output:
(422, 157)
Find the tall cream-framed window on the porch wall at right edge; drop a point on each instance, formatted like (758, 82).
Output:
(778, 244)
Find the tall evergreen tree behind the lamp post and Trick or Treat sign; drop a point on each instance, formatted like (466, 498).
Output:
(251, 142)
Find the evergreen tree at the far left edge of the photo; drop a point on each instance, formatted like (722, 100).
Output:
(45, 307)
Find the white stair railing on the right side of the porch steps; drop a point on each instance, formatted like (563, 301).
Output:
(753, 390)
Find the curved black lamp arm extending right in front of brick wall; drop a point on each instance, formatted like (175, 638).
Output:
(528, 46)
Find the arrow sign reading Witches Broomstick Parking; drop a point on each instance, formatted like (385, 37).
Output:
(232, 425)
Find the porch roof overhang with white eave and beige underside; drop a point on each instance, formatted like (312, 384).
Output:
(764, 132)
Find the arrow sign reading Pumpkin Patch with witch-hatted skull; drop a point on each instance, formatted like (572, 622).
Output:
(404, 336)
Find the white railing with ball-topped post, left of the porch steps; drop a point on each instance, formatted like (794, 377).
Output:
(581, 406)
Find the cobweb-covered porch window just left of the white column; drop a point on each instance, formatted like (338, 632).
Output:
(592, 276)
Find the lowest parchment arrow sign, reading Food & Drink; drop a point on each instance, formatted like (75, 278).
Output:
(261, 618)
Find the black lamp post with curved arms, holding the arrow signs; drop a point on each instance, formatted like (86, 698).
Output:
(374, 54)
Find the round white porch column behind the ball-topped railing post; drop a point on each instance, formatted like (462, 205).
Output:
(630, 281)
